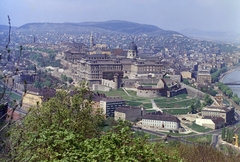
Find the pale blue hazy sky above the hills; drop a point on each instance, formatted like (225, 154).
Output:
(211, 15)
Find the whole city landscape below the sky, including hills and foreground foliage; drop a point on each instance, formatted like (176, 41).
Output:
(117, 91)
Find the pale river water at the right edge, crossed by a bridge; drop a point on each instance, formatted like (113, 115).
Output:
(233, 76)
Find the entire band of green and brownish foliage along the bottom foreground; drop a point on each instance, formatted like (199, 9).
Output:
(66, 128)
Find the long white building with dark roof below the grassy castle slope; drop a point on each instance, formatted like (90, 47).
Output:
(160, 121)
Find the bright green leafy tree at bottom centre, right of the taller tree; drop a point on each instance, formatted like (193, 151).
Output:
(122, 146)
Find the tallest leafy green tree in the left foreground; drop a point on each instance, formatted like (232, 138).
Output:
(55, 129)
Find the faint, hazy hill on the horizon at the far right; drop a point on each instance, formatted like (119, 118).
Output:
(211, 35)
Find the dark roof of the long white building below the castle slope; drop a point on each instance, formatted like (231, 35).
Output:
(161, 117)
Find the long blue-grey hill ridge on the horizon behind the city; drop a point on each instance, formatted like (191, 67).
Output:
(114, 25)
